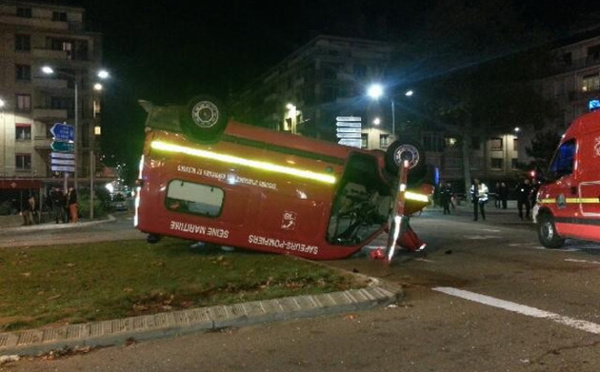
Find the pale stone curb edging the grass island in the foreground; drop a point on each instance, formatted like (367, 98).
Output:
(169, 324)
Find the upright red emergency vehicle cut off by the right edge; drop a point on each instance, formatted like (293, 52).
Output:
(568, 206)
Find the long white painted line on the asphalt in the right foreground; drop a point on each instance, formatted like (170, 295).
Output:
(582, 325)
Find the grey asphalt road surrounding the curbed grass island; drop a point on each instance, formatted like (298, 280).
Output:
(528, 309)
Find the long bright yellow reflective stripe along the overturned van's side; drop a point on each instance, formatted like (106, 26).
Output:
(325, 178)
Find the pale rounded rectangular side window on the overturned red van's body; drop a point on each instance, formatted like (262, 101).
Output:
(194, 198)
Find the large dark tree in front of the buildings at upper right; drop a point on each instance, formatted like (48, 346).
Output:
(478, 68)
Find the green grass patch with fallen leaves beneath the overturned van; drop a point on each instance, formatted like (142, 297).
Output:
(41, 286)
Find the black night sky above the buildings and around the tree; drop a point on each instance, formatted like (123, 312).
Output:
(167, 51)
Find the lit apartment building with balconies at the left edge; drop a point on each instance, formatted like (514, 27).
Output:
(33, 35)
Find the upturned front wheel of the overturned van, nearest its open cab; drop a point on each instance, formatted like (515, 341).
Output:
(405, 149)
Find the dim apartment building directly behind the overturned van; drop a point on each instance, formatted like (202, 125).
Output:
(325, 79)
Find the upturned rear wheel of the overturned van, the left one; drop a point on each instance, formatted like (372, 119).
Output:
(203, 118)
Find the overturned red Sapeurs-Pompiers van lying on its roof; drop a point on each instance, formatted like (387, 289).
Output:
(259, 189)
